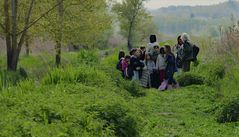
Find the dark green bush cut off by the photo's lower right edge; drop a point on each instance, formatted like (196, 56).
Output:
(230, 112)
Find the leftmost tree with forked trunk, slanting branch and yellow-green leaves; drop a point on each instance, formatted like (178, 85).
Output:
(15, 24)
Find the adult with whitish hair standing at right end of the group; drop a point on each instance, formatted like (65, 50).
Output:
(187, 52)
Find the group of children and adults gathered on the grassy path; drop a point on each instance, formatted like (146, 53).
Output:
(154, 66)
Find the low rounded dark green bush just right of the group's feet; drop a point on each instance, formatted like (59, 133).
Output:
(187, 79)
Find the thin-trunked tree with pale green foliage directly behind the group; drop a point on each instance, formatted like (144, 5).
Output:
(135, 22)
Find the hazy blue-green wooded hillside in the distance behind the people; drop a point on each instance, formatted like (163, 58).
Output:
(199, 20)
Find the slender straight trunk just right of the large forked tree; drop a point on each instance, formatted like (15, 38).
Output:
(60, 32)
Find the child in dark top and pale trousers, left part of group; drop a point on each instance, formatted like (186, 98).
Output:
(135, 63)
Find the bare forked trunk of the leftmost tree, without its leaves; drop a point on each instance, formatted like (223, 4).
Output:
(14, 39)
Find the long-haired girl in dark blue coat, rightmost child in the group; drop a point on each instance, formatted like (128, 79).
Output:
(170, 68)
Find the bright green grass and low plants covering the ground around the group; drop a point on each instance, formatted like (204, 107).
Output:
(87, 97)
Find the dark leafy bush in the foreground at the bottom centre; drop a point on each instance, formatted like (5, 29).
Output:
(116, 117)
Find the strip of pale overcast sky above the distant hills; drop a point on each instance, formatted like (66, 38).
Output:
(155, 4)
